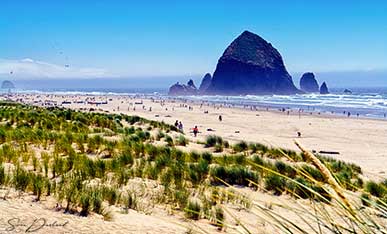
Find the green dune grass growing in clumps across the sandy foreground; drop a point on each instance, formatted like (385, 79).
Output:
(86, 160)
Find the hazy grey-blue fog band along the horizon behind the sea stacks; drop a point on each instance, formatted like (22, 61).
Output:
(343, 79)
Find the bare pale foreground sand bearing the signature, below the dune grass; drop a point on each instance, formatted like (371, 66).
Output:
(22, 214)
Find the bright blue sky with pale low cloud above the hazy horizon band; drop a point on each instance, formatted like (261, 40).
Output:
(162, 38)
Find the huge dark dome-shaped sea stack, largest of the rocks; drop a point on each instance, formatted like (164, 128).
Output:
(250, 65)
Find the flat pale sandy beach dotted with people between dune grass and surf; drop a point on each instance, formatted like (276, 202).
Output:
(357, 140)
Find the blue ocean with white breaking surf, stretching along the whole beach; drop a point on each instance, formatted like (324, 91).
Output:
(365, 102)
